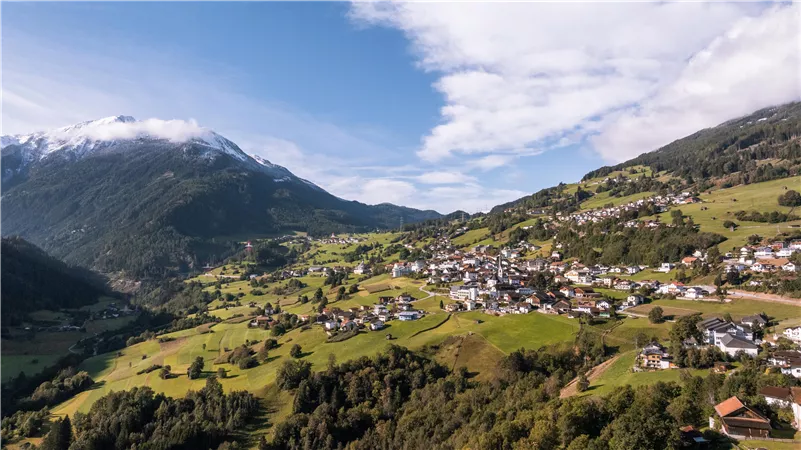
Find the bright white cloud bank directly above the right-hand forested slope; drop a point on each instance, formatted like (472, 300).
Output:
(753, 65)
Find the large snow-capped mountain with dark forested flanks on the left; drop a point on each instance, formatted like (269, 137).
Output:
(153, 197)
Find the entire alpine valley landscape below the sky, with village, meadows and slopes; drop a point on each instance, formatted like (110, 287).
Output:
(324, 323)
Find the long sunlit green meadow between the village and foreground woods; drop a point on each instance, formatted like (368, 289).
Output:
(493, 337)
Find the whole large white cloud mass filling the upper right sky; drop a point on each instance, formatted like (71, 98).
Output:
(520, 78)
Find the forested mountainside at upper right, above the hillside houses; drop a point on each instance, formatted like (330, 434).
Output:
(761, 146)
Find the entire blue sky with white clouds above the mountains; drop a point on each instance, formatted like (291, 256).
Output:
(436, 105)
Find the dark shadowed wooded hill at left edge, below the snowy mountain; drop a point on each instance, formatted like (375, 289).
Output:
(30, 280)
